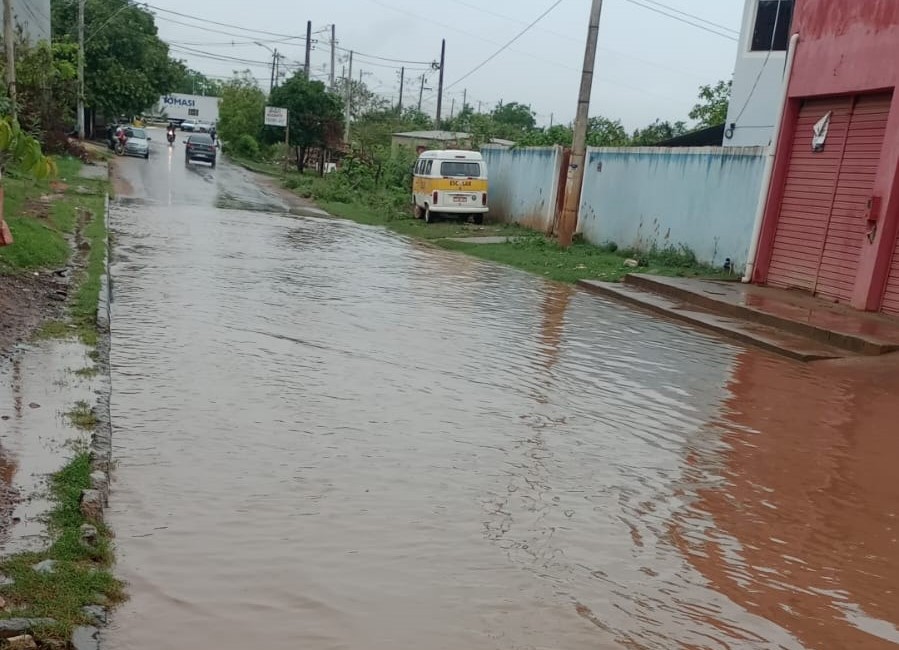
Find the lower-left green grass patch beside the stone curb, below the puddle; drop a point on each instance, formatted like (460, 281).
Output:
(81, 575)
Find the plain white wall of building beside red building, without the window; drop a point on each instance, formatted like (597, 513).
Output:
(758, 79)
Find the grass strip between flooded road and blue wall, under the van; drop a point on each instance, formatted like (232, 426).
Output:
(525, 249)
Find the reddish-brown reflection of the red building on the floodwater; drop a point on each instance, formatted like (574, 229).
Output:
(802, 508)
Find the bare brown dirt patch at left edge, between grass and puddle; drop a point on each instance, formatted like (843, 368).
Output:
(25, 302)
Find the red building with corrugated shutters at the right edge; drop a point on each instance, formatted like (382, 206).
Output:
(831, 216)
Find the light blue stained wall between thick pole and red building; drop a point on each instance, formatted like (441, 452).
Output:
(701, 197)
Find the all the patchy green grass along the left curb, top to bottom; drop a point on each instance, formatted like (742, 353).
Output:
(57, 223)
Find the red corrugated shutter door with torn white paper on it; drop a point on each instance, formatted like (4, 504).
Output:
(821, 228)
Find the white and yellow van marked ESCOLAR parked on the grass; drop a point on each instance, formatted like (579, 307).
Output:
(451, 183)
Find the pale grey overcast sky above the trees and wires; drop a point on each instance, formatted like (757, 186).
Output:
(649, 65)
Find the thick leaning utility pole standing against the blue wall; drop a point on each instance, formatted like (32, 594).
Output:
(571, 206)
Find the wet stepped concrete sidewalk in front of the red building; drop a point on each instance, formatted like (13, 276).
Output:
(790, 323)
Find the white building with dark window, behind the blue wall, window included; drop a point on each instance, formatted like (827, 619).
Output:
(759, 72)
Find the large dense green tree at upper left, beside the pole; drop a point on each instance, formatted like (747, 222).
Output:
(127, 65)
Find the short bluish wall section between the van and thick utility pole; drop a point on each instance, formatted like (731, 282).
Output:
(523, 184)
